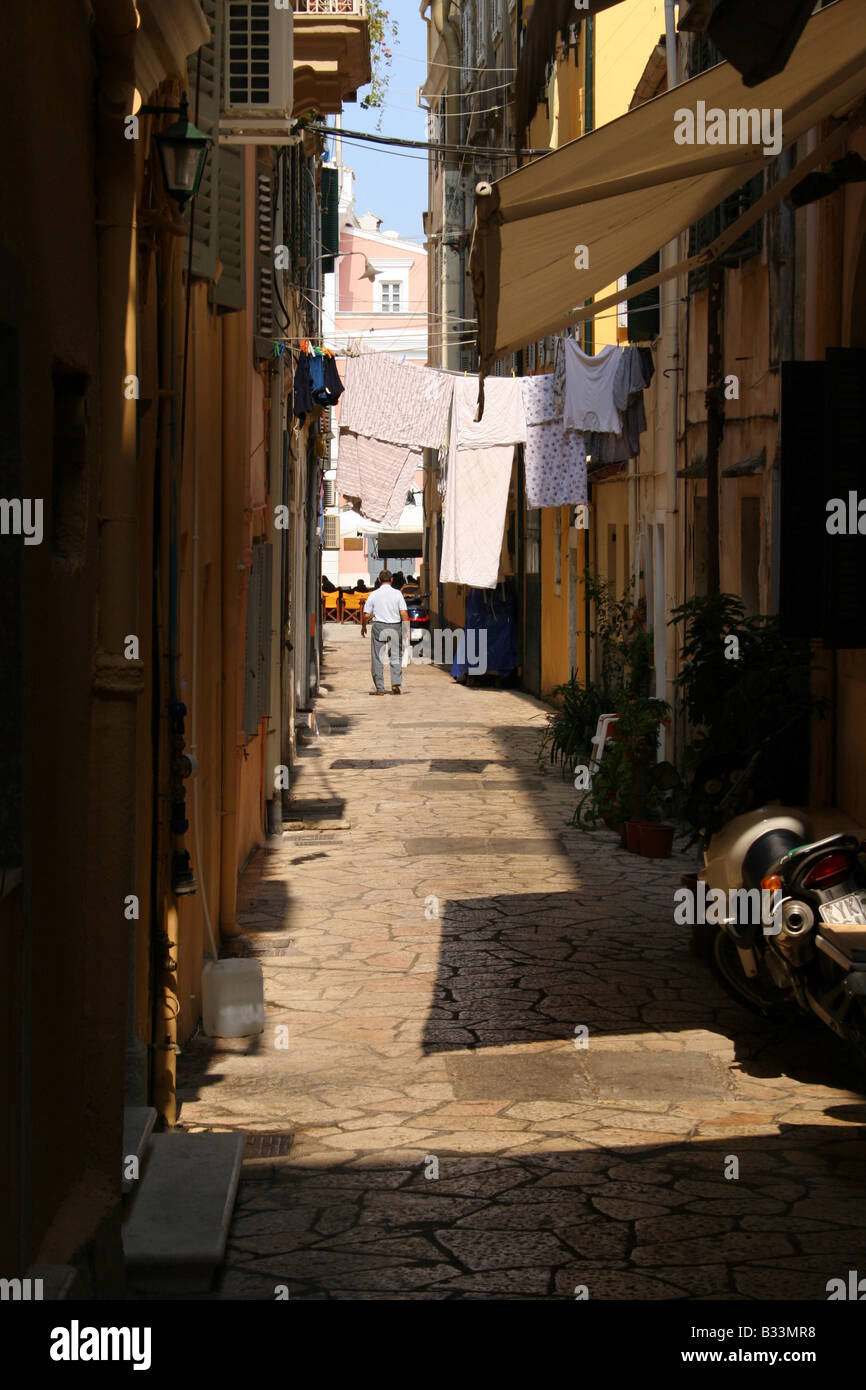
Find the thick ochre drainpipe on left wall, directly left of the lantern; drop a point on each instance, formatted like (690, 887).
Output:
(116, 682)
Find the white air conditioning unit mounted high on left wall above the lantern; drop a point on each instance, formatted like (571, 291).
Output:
(258, 74)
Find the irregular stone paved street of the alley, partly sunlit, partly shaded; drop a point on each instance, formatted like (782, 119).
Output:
(420, 1043)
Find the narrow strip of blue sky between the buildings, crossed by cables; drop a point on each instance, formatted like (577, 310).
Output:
(394, 186)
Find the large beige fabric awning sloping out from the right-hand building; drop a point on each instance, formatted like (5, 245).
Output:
(628, 190)
